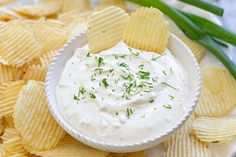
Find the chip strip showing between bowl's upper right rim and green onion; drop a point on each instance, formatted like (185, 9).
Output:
(196, 48)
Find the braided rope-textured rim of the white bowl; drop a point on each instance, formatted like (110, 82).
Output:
(113, 147)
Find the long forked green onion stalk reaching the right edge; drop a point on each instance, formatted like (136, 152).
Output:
(196, 32)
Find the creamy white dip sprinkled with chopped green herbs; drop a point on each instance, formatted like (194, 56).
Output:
(123, 95)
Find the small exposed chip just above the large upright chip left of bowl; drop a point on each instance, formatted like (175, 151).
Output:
(36, 72)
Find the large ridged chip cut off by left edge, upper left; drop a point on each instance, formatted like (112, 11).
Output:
(18, 46)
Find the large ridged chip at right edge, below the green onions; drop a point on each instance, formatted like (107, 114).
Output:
(218, 95)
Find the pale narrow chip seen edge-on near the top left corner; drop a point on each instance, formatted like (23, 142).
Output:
(38, 9)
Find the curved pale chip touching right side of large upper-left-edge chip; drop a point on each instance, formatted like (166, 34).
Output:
(50, 38)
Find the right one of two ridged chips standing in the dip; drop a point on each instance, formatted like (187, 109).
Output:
(147, 30)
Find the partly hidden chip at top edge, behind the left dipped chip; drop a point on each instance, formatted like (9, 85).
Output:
(106, 3)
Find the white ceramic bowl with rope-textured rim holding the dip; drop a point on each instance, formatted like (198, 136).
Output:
(178, 48)
